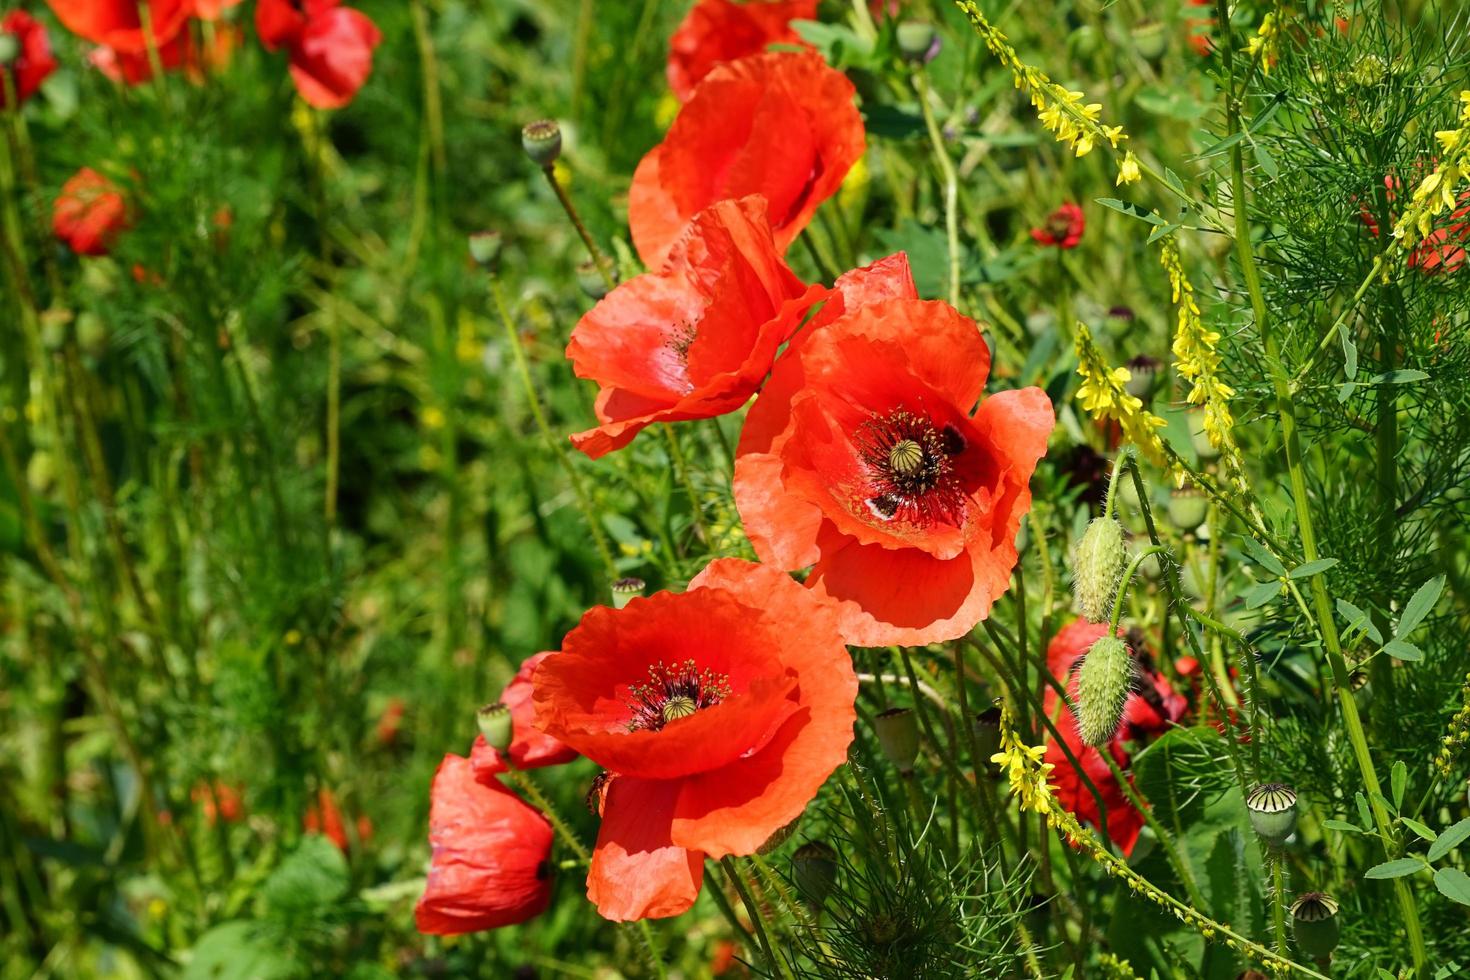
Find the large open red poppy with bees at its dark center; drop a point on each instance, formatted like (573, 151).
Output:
(862, 459)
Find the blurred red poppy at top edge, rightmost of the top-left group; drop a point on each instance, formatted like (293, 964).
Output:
(330, 46)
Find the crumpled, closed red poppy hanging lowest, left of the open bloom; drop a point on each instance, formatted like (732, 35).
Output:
(492, 856)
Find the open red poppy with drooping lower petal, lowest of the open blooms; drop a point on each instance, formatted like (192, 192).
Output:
(721, 712)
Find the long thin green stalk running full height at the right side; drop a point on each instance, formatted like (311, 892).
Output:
(1287, 412)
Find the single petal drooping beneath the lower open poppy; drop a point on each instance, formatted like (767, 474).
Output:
(637, 869)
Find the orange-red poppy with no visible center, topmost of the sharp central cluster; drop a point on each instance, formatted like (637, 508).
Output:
(780, 124)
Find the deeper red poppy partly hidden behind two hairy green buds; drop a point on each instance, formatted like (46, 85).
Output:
(1150, 712)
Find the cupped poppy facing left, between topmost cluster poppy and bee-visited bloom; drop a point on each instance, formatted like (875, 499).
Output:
(696, 339)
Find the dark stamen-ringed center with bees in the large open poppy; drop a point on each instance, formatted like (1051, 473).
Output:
(912, 469)
